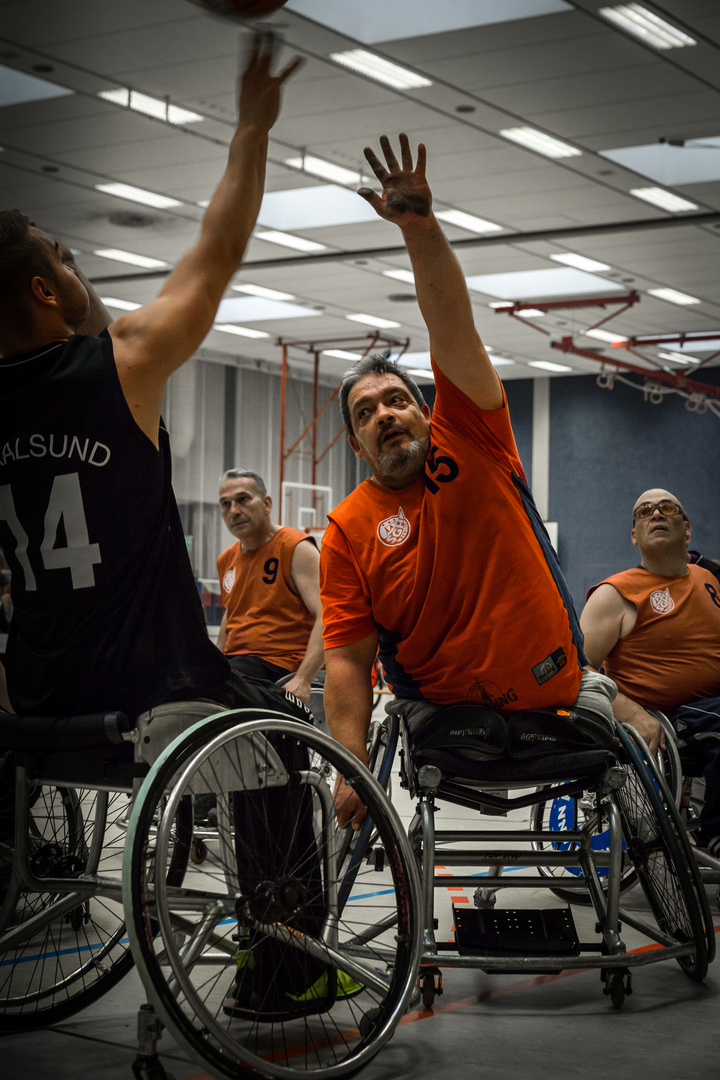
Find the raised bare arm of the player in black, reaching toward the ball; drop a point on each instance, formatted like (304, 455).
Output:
(152, 343)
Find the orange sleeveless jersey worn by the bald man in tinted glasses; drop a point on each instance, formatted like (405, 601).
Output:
(672, 656)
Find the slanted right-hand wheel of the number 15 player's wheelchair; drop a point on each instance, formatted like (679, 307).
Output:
(660, 850)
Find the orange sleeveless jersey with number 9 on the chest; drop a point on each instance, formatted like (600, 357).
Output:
(265, 617)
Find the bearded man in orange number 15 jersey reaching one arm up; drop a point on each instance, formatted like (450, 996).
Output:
(440, 559)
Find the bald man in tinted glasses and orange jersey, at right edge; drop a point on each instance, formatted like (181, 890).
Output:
(657, 630)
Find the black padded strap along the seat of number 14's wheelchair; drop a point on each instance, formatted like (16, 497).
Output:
(64, 734)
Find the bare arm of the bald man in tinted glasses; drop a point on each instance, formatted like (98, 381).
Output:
(606, 618)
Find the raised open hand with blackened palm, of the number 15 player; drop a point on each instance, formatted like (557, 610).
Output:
(406, 195)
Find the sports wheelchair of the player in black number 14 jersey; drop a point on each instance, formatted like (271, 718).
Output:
(253, 960)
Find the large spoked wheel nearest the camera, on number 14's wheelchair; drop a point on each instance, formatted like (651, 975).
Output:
(254, 967)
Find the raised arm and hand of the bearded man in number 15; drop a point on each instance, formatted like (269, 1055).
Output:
(443, 296)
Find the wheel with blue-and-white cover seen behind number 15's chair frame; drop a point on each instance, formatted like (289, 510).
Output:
(576, 813)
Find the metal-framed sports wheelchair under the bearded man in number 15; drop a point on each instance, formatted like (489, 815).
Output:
(601, 822)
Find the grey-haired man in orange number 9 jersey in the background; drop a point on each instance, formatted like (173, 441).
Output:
(273, 623)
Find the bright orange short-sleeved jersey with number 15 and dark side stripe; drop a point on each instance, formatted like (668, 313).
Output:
(454, 573)
